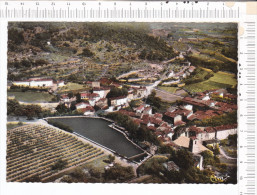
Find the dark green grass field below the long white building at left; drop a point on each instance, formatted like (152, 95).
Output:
(31, 96)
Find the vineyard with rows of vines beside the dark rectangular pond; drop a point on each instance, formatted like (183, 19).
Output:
(33, 151)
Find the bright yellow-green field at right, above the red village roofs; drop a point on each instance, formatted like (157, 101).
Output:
(219, 80)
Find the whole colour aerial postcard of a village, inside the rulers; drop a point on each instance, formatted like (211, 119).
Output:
(93, 102)
